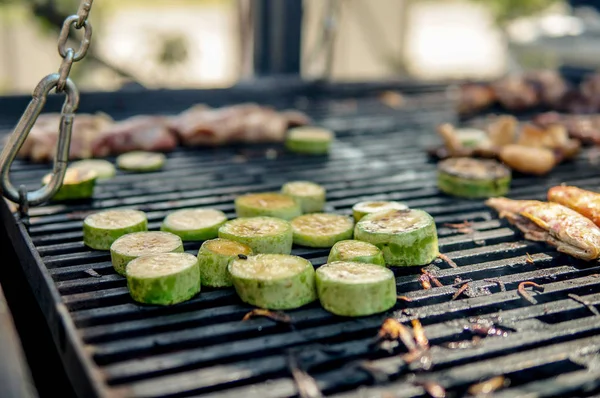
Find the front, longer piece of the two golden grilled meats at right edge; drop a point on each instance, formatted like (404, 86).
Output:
(567, 230)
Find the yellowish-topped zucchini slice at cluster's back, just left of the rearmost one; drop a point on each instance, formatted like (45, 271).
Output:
(270, 204)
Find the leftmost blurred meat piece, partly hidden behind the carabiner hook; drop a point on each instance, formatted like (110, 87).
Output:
(41, 142)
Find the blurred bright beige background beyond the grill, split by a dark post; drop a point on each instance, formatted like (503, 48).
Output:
(206, 43)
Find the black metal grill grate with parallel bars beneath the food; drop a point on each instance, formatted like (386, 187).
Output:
(111, 346)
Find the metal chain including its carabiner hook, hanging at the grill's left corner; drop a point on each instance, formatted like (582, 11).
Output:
(60, 82)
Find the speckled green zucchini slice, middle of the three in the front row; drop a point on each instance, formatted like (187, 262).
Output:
(274, 281)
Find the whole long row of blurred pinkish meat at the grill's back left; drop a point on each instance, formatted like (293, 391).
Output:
(98, 135)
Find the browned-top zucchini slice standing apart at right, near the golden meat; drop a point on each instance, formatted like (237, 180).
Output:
(473, 178)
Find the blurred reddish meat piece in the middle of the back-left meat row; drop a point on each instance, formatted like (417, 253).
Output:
(145, 133)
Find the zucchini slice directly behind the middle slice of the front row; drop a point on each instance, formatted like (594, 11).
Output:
(262, 234)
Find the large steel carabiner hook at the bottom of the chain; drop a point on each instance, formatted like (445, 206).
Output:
(17, 138)
